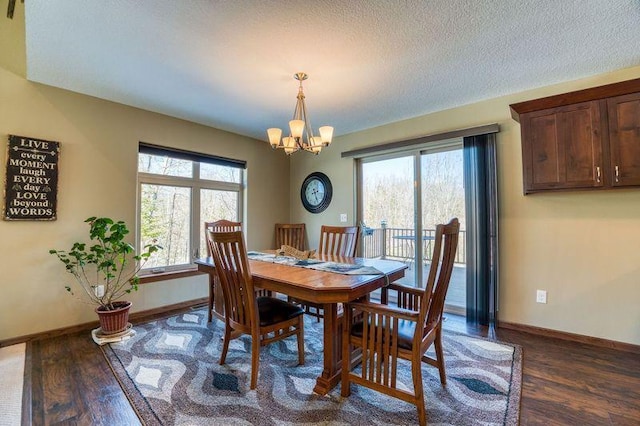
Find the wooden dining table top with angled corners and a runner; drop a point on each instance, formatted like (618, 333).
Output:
(322, 286)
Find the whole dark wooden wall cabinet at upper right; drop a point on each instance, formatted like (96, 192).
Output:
(588, 139)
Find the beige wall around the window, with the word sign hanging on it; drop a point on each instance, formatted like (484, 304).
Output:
(97, 176)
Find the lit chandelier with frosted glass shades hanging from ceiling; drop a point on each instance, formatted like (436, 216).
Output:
(300, 131)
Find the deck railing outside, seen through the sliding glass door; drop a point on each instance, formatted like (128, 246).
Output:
(396, 243)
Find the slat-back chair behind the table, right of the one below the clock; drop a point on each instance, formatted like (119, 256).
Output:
(337, 241)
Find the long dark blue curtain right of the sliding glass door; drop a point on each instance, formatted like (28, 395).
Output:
(482, 228)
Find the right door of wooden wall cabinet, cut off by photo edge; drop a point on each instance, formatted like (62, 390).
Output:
(624, 139)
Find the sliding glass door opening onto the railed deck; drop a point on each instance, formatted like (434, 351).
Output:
(401, 199)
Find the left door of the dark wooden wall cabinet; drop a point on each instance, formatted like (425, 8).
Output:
(562, 148)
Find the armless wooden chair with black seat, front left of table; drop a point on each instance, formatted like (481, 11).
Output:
(265, 319)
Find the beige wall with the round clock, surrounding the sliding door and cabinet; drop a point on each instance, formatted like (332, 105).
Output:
(582, 247)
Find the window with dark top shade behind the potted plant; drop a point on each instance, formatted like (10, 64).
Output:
(178, 191)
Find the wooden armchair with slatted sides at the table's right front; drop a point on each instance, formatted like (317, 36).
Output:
(386, 334)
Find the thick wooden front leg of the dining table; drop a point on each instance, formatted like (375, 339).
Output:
(330, 376)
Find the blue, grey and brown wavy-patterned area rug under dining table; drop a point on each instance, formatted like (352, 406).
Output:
(169, 370)
